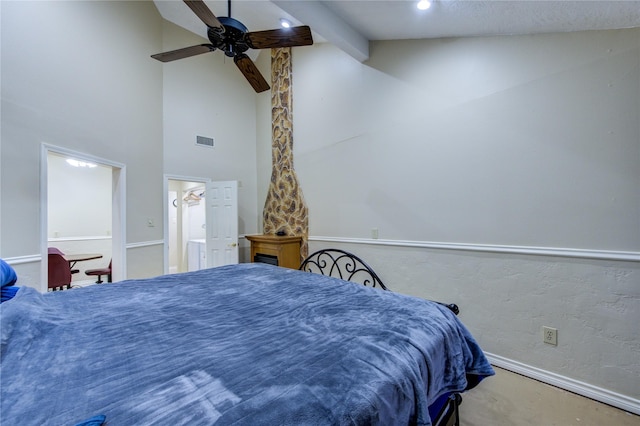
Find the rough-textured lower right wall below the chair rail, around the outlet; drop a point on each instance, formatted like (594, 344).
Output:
(505, 299)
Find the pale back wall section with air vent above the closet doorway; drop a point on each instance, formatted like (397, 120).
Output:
(206, 95)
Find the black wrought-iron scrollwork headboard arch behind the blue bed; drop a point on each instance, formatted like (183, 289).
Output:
(341, 264)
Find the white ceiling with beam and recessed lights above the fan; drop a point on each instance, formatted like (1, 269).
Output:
(351, 24)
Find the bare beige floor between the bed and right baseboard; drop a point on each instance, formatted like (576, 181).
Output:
(510, 399)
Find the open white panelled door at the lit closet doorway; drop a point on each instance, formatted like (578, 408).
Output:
(222, 223)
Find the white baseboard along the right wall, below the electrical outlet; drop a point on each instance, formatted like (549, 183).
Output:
(605, 396)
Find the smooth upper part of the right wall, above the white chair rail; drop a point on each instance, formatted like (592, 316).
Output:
(537, 137)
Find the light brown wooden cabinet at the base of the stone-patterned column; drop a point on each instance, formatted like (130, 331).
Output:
(280, 251)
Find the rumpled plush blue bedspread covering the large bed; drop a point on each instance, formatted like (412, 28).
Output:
(247, 344)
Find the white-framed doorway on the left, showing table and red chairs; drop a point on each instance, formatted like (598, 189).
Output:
(82, 216)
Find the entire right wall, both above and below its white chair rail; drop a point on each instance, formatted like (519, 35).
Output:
(470, 154)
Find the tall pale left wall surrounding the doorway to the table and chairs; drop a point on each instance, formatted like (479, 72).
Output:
(78, 75)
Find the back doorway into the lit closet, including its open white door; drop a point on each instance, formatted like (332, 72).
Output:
(201, 224)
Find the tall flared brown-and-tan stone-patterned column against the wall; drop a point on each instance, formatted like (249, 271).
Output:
(285, 208)
